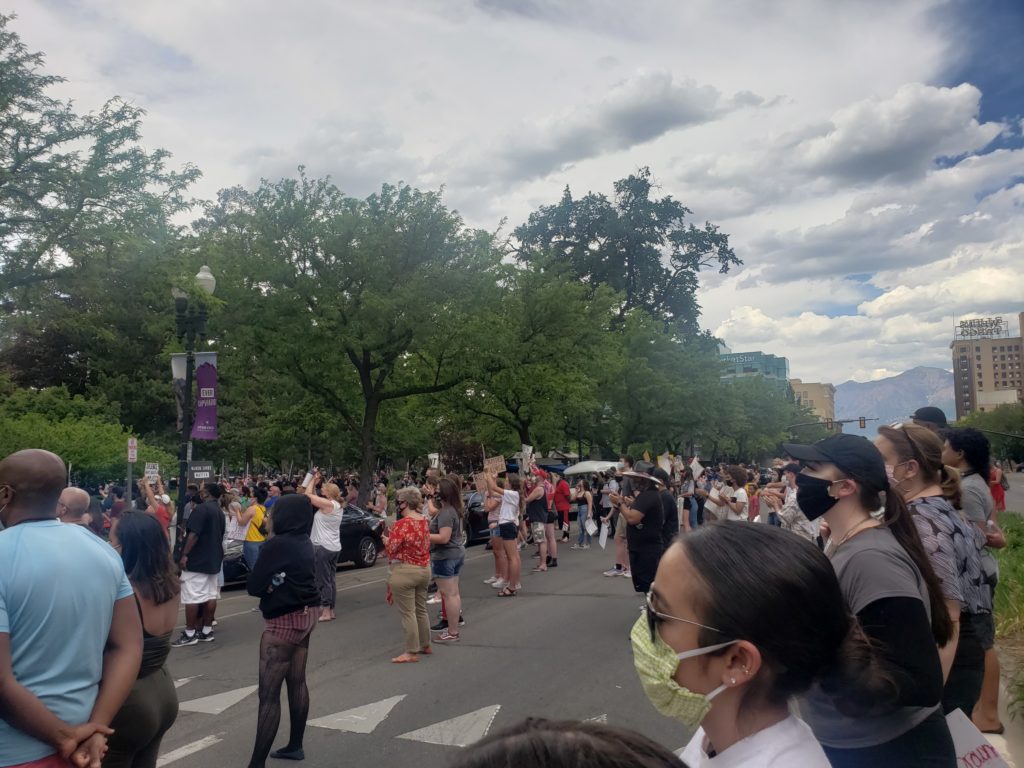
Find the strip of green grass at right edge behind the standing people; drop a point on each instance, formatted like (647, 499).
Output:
(1010, 607)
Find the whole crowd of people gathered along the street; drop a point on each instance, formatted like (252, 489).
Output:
(865, 619)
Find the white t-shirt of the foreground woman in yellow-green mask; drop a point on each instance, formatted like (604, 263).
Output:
(789, 744)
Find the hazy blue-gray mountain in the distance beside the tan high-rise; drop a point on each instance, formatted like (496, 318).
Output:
(894, 399)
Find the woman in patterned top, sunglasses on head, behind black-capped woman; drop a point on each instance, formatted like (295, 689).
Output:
(914, 459)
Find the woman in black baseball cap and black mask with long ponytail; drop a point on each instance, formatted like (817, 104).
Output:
(890, 586)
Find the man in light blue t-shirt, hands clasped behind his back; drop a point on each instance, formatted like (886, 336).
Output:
(59, 582)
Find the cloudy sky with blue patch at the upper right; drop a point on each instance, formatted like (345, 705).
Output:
(867, 157)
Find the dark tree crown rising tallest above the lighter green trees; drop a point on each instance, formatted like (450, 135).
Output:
(638, 246)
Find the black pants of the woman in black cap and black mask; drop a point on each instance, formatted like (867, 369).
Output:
(926, 746)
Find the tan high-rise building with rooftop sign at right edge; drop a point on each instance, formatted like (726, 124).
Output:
(988, 364)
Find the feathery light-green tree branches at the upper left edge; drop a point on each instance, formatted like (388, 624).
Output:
(72, 188)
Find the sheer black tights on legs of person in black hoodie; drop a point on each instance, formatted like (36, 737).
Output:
(281, 663)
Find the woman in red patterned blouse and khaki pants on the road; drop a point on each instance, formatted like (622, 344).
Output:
(408, 547)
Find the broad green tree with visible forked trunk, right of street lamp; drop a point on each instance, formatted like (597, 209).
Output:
(360, 303)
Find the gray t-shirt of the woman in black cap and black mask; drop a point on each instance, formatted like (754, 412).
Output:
(871, 567)
